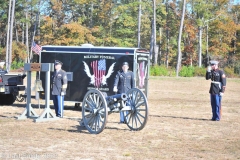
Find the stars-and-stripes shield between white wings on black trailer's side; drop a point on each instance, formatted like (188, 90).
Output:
(99, 69)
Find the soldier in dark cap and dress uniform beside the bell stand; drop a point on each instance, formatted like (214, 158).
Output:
(59, 88)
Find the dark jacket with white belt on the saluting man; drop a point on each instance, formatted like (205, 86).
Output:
(218, 81)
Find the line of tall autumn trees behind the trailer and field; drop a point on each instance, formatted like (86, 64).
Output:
(210, 29)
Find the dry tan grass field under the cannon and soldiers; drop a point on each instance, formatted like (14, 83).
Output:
(178, 127)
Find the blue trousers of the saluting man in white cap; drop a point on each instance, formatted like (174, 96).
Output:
(216, 106)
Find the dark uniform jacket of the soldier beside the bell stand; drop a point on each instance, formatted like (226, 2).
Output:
(59, 82)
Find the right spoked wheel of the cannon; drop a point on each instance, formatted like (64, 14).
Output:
(137, 117)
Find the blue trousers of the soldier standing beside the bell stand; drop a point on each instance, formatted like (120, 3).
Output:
(58, 102)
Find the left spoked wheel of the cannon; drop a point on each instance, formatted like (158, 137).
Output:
(94, 111)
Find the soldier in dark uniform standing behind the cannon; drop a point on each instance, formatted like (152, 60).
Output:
(123, 82)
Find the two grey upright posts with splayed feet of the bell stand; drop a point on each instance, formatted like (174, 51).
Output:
(47, 114)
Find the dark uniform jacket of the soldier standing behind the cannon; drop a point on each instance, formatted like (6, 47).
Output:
(124, 81)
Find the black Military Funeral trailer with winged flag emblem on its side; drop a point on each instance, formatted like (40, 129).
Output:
(96, 67)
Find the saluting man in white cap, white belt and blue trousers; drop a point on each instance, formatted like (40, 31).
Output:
(218, 85)
